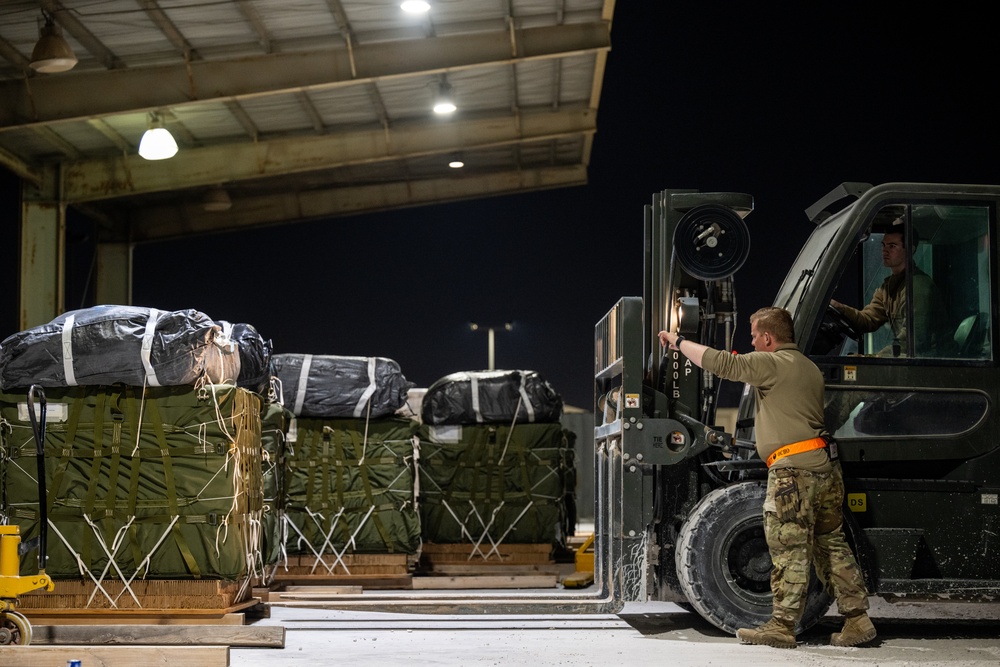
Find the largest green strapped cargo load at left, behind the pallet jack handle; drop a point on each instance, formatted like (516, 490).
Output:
(161, 483)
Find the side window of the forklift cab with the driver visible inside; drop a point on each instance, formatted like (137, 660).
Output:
(939, 255)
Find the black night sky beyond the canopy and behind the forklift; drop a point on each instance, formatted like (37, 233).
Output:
(783, 103)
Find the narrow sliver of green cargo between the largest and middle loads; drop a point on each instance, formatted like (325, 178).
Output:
(275, 420)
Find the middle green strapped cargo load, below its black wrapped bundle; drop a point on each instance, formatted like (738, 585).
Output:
(349, 487)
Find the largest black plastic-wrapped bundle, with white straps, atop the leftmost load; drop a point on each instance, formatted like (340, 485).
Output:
(106, 346)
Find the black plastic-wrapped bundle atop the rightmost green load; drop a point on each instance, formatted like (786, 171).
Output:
(475, 397)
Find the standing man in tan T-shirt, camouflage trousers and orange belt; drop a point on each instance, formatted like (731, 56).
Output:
(805, 489)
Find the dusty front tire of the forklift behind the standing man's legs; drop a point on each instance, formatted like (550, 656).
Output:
(724, 566)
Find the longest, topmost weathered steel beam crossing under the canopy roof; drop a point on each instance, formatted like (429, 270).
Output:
(86, 95)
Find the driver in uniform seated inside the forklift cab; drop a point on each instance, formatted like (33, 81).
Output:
(888, 303)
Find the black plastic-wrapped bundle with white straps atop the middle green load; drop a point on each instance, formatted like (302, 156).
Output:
(356, 387)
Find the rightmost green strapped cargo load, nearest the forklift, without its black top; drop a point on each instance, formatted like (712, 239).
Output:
(491, 483)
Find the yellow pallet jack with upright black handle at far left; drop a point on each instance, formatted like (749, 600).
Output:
(14, 626)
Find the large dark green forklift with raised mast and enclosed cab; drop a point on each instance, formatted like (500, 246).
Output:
(915, 419)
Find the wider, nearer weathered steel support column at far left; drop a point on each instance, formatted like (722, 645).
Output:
(43, 251)
